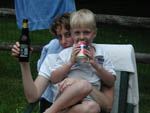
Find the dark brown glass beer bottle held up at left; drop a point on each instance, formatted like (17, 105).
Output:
(24, 42)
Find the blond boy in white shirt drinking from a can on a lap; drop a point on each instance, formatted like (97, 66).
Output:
(83, 27)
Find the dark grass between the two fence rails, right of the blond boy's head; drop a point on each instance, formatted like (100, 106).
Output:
(112, 34)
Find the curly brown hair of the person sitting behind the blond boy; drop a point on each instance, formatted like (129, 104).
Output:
(63, 19)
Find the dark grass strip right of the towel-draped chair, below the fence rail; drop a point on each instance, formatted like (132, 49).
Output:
(144, 85)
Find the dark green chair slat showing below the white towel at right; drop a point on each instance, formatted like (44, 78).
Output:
(121, 92)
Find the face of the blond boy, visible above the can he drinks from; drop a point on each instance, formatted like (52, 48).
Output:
(84, 34)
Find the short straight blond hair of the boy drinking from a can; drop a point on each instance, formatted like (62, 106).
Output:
(83, 18)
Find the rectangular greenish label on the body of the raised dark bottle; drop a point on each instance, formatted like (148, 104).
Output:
(24, 50)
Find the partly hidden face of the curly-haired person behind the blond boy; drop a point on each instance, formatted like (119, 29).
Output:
(64, 37)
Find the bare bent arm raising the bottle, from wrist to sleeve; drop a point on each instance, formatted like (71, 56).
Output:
(33, 90)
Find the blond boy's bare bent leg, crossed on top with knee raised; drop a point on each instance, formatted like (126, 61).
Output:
(70, 96)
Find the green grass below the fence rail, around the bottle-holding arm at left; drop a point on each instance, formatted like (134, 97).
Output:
(12, 99)
